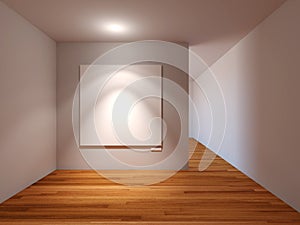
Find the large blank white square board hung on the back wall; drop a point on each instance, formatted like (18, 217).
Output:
(120, 109)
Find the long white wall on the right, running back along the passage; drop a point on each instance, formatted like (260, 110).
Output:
(260, 80)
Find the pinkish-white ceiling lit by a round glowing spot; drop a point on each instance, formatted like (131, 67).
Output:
(193, 21)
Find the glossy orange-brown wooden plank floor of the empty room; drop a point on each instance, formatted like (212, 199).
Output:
(219, 195)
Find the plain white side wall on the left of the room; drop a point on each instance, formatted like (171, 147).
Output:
(27, 97)
